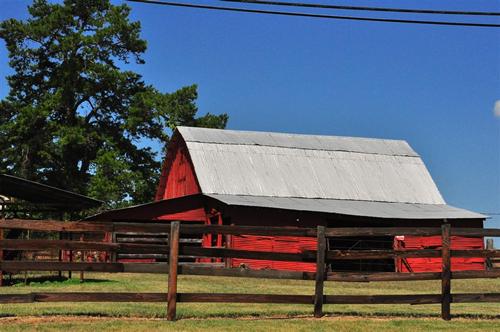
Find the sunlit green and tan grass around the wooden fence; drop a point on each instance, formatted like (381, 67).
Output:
(269, 317)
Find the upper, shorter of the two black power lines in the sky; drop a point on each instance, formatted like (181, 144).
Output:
(362, 8)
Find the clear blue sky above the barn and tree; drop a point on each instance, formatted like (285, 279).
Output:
(432, 86)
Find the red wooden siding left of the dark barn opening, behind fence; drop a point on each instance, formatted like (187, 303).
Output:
(289, 244)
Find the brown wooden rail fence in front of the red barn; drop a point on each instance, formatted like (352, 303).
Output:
(321, 256)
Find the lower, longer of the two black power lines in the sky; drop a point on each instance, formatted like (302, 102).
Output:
(335, 17)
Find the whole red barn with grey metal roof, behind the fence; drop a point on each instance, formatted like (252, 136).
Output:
(228, 177)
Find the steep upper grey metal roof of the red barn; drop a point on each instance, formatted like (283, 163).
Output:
(304, 166)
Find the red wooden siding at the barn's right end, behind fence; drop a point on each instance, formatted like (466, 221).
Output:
(434, 264)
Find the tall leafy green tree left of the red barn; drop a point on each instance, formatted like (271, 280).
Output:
(73, 118)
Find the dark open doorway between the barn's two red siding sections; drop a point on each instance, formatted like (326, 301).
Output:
(362, 243)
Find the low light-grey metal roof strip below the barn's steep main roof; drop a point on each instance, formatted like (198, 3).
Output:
(352, 208)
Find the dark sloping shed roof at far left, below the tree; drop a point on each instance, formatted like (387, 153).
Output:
(37, 193)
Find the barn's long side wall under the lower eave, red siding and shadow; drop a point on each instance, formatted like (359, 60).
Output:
(268, 217)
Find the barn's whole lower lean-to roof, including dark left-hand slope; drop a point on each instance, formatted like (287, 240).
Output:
(229, 204)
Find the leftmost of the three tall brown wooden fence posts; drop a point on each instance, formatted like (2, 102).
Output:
(173, 259)
